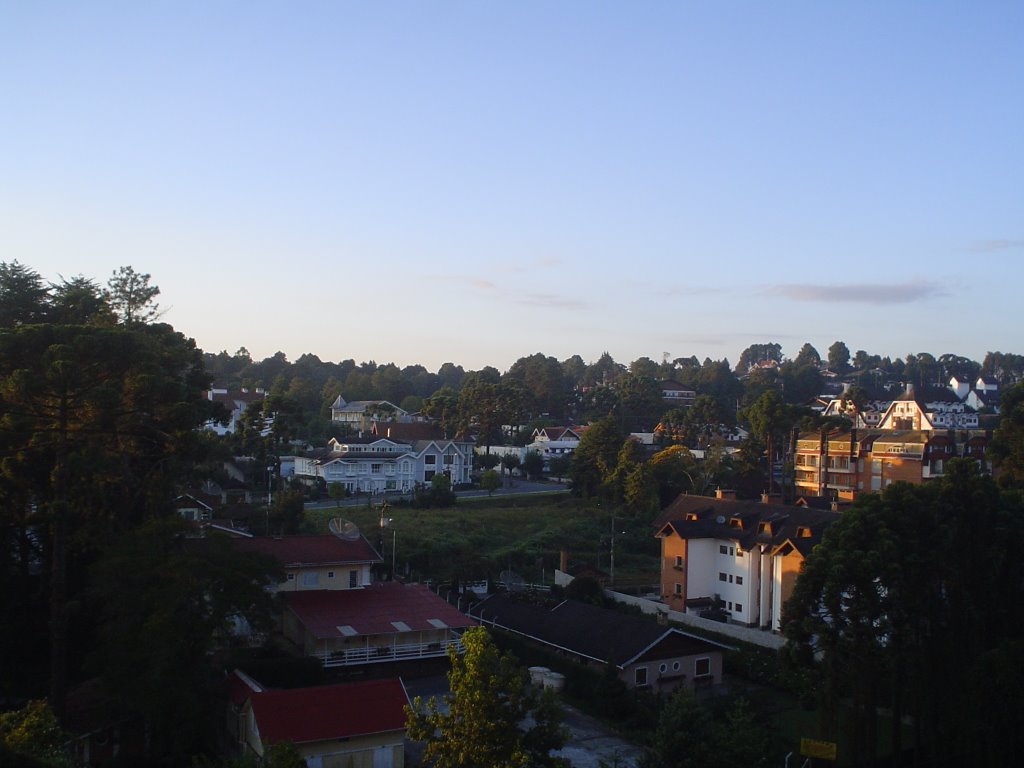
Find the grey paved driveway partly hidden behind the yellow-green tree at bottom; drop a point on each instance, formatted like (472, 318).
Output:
(590, 745)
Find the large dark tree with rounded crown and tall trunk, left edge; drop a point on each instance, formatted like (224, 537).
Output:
(97, 426)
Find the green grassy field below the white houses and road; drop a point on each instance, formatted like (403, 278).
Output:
(478, 539)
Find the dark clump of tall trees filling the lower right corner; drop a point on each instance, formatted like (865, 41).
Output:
(912, 605)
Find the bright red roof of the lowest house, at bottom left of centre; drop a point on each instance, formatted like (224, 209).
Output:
(331, 712)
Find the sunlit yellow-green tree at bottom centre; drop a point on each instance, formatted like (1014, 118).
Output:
(484, 727)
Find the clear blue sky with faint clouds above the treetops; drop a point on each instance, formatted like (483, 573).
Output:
(475, 183)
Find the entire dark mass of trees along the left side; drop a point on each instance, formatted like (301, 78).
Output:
(101, 409)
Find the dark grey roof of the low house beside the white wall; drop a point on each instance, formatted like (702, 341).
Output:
(588, 630)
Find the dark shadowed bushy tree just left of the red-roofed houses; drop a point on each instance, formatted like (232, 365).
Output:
(164, 603)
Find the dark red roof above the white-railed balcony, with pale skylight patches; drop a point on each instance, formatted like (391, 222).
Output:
(371, 611)
